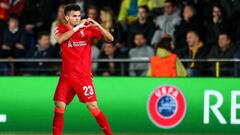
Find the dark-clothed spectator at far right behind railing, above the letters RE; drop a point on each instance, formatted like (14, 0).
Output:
(224, 50)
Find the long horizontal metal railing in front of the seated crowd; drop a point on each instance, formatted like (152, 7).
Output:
(123, 67)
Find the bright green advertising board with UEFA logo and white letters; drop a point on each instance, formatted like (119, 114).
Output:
(182, 105)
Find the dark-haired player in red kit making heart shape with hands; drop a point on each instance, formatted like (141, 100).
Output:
(76, 76)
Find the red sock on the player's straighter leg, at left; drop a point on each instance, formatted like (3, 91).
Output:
(58, 121)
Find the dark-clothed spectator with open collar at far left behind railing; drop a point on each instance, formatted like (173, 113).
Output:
(13, 45)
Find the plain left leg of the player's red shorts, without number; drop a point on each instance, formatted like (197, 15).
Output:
(64, 92)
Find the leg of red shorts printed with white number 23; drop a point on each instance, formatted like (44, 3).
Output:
(85, 90)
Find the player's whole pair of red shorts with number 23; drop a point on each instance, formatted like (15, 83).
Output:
(67, 88)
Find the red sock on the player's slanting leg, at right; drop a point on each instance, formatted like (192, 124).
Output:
(102, 121)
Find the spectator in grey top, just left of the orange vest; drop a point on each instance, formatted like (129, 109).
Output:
(141, 50)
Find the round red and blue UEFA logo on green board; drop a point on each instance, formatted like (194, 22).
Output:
(166, 106)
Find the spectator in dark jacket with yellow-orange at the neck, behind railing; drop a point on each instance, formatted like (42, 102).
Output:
(196, 50)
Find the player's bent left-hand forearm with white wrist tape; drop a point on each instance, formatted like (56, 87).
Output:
(61, 37)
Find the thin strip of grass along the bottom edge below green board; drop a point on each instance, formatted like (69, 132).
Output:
(43, 133)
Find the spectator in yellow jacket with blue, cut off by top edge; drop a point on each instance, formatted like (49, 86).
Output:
(129, 9)
